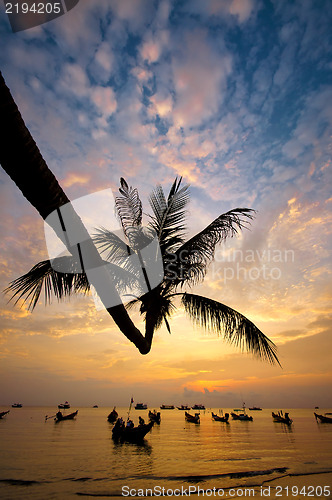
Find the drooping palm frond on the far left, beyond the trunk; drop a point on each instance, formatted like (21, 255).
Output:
(29, 286)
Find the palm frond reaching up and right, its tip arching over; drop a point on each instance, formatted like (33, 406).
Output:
(196, 253)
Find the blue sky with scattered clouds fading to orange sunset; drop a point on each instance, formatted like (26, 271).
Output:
(234, 96)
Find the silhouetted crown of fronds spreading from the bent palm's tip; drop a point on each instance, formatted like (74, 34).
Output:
(185, 264)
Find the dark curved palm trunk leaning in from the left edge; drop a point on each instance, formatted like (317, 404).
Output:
(23, 162)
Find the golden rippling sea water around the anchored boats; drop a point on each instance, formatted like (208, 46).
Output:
(43, 460)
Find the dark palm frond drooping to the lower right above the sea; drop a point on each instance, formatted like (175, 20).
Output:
(235, 327)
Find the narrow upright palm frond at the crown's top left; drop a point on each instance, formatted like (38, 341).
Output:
(129, 207)
